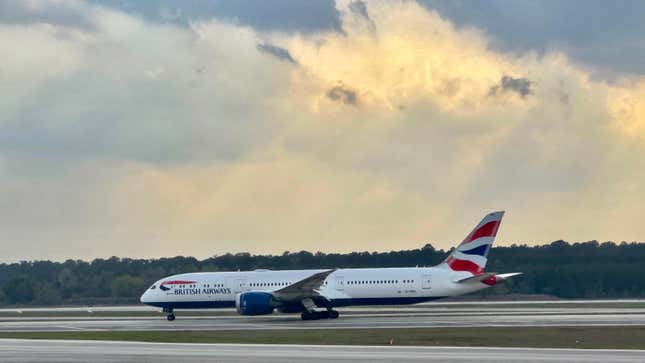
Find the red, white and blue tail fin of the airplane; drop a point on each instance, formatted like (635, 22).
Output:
(472, 254)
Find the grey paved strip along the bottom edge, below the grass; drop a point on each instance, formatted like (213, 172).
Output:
(15, 350)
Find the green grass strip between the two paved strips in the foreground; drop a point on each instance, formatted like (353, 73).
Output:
(606, 337)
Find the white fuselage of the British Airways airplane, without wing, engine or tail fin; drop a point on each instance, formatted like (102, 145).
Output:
(343, 287)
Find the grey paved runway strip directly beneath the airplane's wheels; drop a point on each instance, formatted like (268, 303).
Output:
(428, 316)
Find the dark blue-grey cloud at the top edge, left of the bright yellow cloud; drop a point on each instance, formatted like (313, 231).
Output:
(281, 15)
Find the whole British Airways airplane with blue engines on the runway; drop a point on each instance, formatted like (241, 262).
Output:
(315, 293)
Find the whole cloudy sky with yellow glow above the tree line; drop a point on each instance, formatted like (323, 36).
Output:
(162, 128)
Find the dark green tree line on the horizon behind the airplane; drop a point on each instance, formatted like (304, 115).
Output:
(560, 269)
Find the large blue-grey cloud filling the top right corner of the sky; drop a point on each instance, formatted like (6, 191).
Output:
(526, 26)
